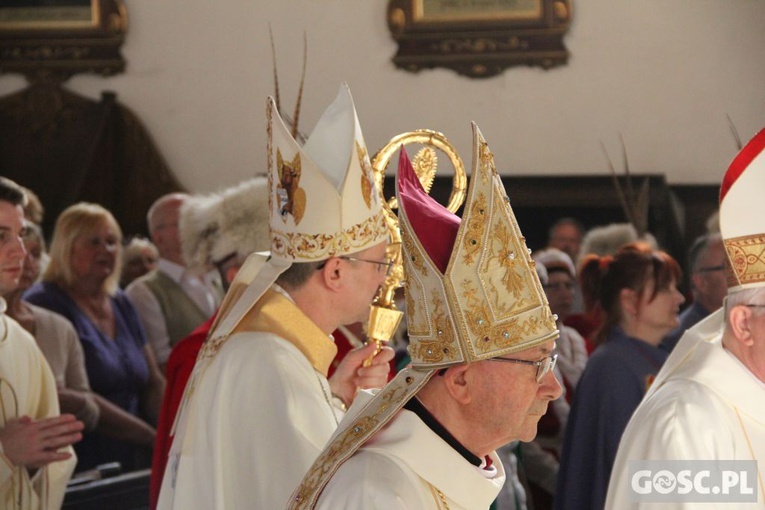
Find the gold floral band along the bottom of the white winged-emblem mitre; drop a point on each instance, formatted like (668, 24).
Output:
(323, 246)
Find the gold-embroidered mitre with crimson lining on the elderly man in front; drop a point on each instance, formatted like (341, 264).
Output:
(474, 295)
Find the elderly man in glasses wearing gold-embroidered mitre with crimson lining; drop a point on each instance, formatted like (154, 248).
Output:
(481, 341)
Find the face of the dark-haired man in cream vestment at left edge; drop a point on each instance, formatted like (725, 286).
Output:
(11, 247)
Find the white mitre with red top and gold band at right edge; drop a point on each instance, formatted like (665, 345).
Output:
(741, 224)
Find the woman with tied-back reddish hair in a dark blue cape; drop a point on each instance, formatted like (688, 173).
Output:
(637, 291)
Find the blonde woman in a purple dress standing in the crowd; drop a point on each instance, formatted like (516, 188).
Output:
(81, 283)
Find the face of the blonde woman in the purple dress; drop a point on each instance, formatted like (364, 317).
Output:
(94, 253)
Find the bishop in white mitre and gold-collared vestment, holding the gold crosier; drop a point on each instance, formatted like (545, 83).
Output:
(259, 408)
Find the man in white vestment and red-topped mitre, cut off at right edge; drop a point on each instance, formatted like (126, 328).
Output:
(708, 401)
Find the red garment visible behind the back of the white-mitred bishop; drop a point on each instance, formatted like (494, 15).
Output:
(180, 364)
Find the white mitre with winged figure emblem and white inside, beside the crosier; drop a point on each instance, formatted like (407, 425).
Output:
(323, 200)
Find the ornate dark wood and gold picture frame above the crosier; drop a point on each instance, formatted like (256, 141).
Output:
(479, 38)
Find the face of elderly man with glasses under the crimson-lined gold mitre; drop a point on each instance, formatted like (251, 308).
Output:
(512, 401)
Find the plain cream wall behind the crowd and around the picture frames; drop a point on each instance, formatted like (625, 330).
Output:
(662, 73)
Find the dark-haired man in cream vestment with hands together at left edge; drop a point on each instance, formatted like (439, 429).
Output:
(36, 457)
